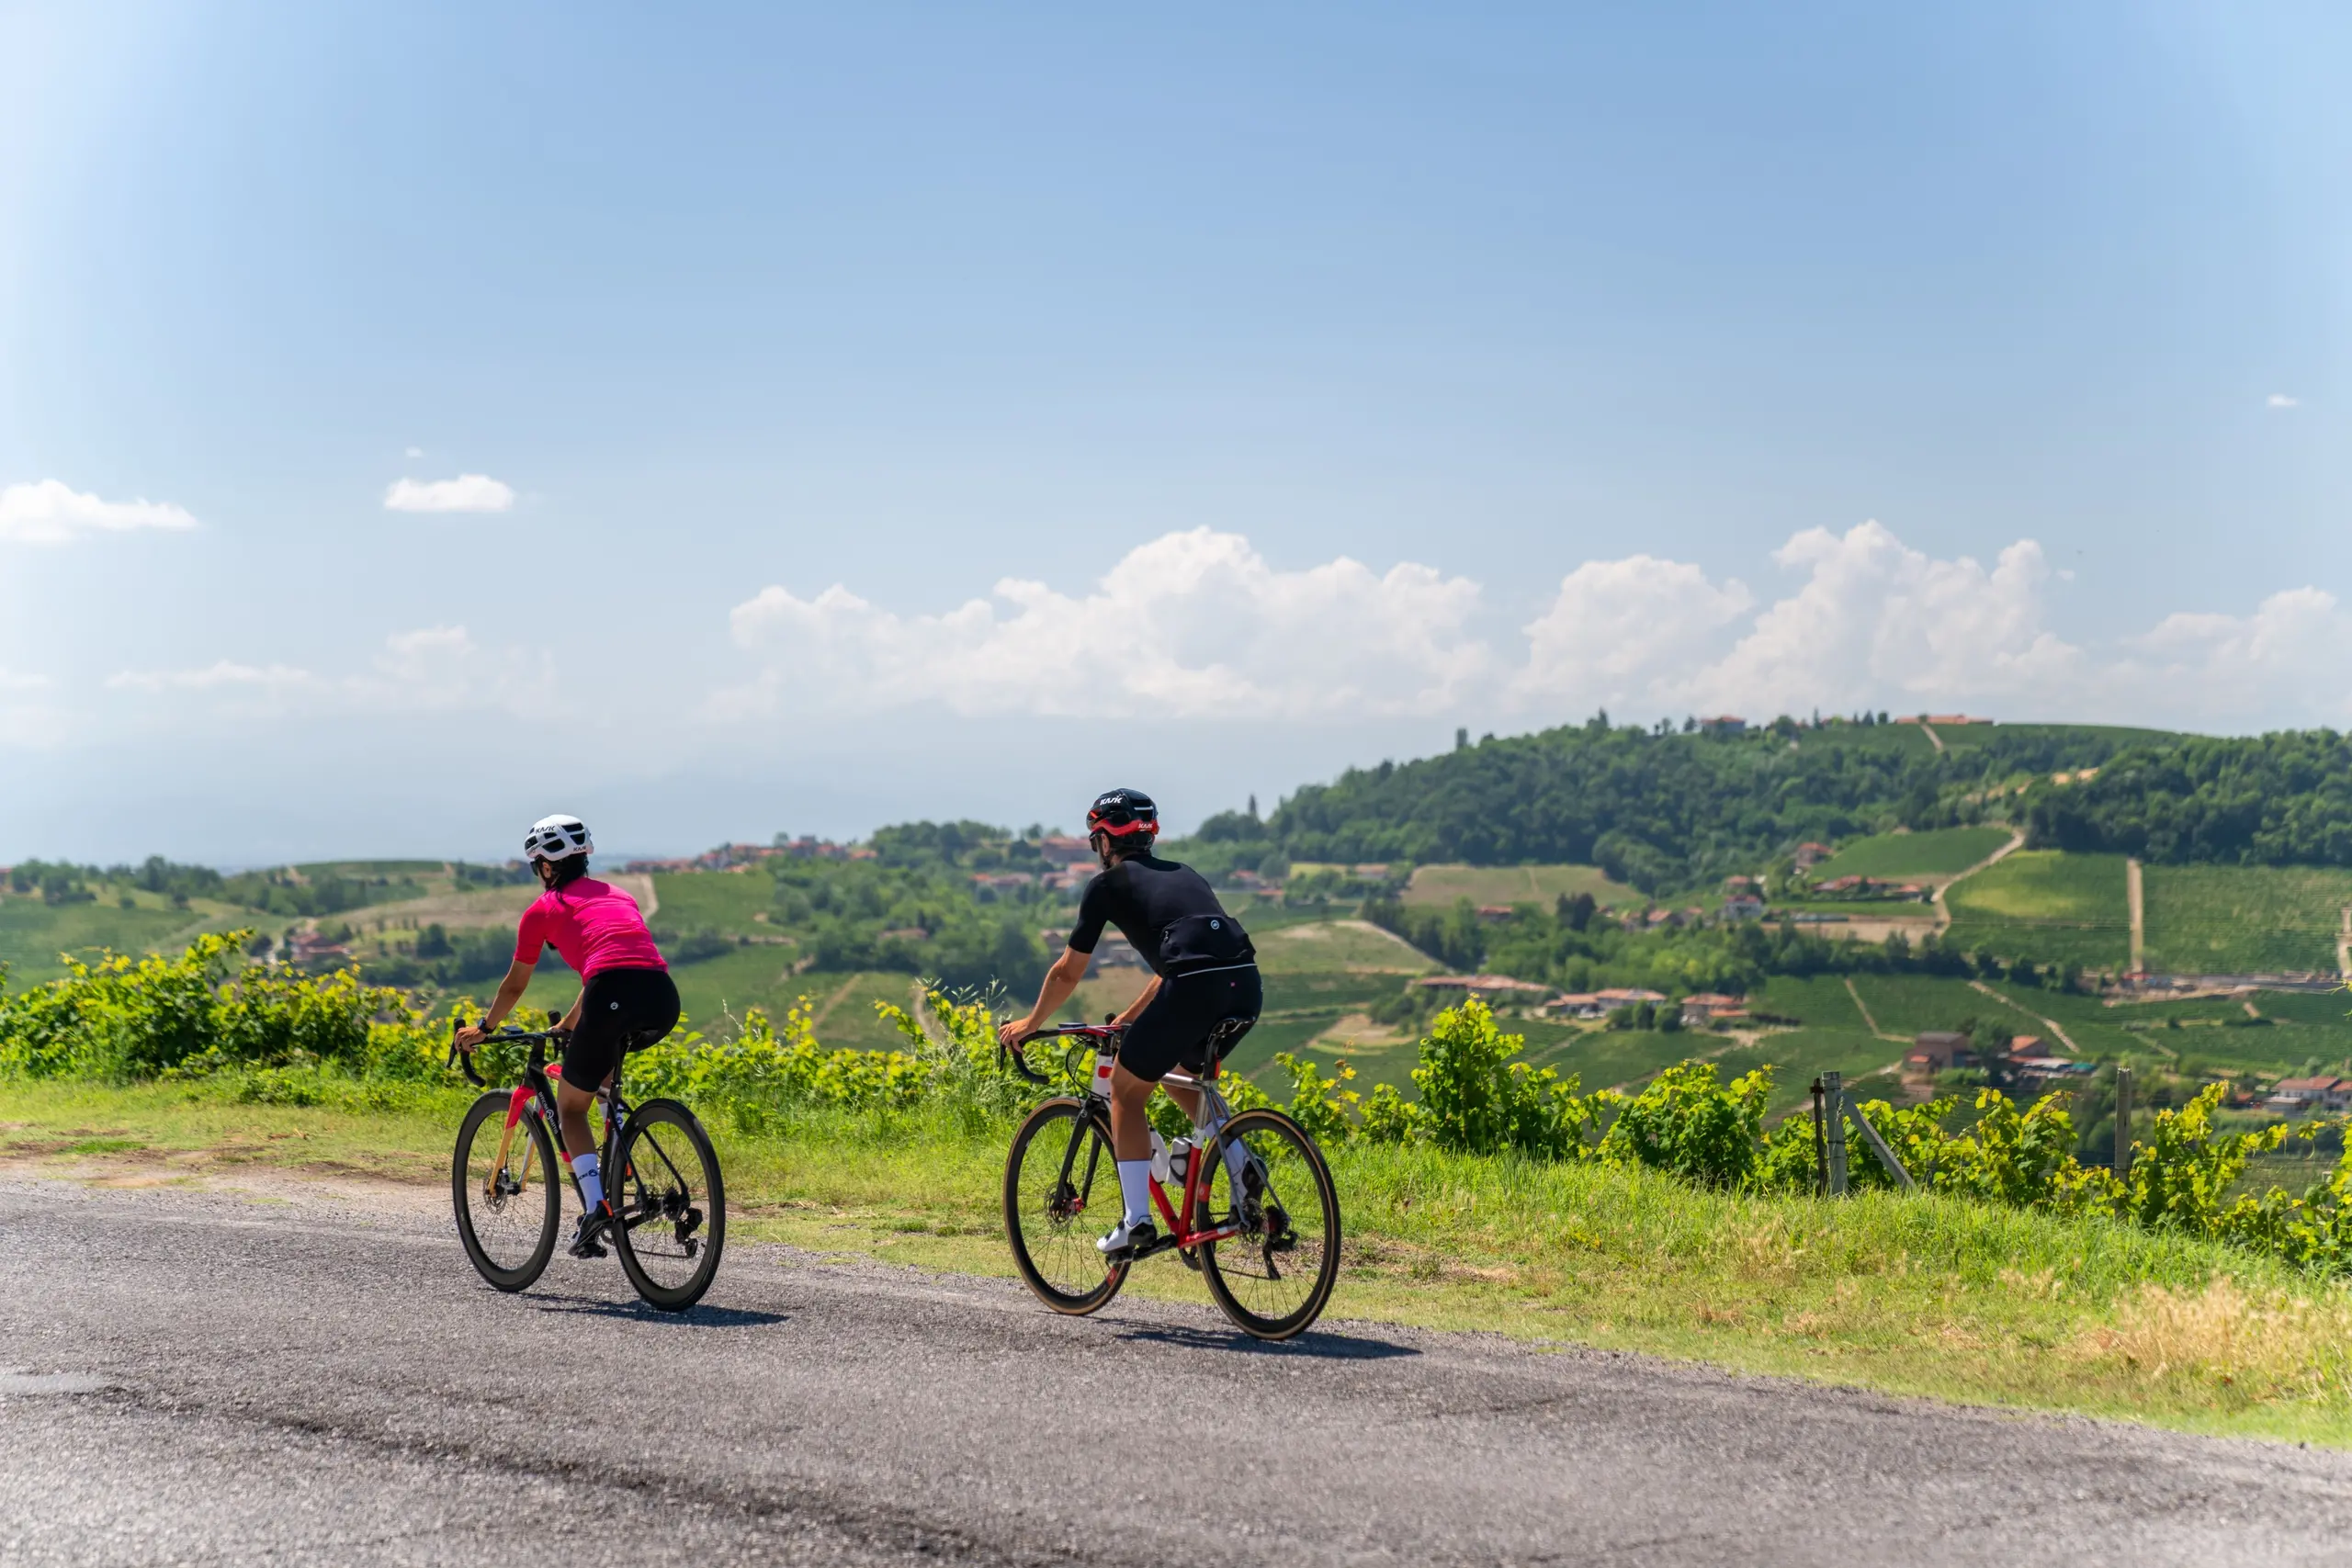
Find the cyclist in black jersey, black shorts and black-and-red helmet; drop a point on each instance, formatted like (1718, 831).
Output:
(1203, 974)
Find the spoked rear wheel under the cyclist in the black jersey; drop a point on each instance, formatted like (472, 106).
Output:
(1276, 1278)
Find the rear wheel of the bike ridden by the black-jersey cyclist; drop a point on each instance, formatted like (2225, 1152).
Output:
(1224, 1264)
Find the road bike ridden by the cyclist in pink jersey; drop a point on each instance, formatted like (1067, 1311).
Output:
(662, 1181)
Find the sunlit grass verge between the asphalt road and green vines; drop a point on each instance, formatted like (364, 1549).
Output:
(1902, 1294)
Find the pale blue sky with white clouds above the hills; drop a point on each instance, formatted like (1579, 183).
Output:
(429, 417)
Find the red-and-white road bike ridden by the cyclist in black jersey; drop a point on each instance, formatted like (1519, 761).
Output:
(1255, 1207)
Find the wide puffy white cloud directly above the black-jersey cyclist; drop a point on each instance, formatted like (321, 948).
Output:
(1191, 624)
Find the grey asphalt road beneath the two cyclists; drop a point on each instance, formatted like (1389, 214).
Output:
(211, 1379)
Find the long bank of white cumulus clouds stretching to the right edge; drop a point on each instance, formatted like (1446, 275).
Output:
(1203, 626)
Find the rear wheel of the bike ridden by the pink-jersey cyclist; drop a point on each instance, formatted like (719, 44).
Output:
(671, 1238)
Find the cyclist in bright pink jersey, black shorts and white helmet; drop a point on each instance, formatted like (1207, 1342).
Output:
(627, 996)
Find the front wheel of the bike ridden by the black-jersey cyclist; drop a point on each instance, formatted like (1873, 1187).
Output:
(1071, 1278)
